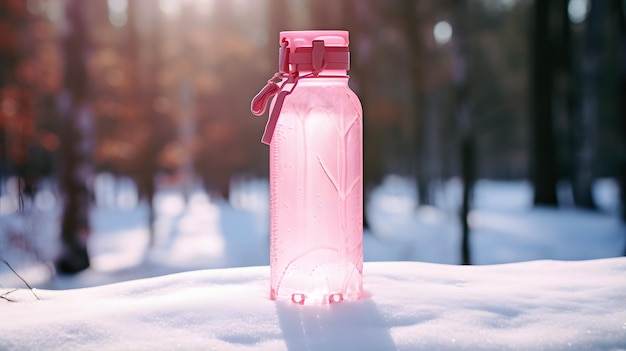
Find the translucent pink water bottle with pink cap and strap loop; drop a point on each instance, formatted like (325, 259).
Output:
(315, 136)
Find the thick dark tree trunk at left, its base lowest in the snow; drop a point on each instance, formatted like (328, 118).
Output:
(76, 121)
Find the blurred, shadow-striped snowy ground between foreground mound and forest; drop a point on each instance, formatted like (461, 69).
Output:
(203, 233)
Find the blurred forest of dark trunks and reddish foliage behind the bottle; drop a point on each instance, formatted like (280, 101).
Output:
(159, 91)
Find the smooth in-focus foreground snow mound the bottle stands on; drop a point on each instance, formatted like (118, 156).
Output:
(535, 305)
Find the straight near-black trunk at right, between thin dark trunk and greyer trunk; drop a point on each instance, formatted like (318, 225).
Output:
(544, 170)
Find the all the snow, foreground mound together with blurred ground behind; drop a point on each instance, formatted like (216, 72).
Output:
(545, 280)
